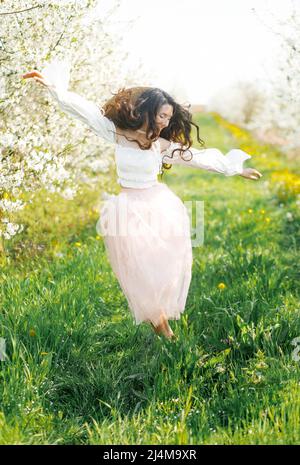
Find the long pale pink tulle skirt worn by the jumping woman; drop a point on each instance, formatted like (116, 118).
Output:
(146, 233)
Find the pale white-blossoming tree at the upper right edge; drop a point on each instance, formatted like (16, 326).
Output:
(270, 106)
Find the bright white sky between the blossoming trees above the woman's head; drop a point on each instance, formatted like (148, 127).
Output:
(199, 46)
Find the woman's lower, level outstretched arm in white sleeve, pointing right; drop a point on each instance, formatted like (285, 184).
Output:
(211, 159)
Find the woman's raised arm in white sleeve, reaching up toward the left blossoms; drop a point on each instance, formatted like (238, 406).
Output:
(77, 106)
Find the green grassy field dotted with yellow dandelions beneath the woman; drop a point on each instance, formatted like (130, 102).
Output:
(78, 371)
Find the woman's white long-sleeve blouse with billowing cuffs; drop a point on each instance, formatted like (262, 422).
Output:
(136, 168)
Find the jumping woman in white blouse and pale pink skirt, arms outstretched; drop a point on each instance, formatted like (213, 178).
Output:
(150, 250)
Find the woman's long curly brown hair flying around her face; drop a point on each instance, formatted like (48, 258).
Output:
(131, 108)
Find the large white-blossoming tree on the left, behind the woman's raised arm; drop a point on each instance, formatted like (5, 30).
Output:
(40, 146)
